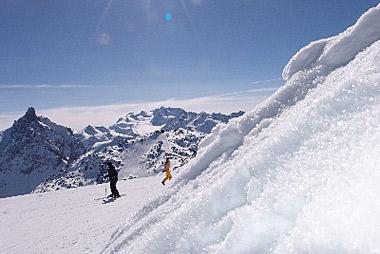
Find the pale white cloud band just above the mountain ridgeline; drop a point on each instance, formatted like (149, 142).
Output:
(79, 117)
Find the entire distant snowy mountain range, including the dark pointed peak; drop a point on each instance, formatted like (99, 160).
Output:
(38, 155)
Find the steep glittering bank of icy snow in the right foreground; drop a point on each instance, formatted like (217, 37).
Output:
(298, 174)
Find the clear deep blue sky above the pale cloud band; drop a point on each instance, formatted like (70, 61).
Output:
(98, 52)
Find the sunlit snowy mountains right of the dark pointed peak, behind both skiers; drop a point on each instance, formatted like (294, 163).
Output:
(137, 144)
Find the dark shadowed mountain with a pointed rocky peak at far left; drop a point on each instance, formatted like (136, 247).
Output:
(33, 149)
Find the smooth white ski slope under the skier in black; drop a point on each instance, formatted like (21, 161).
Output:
(70, 221)
